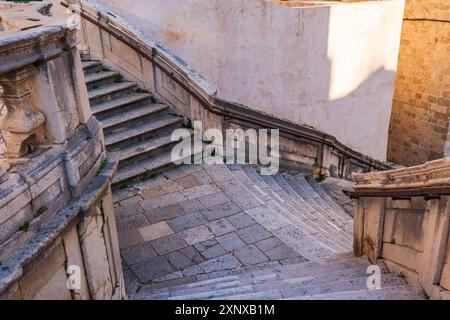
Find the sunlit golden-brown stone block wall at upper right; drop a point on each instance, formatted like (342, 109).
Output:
(419, 121)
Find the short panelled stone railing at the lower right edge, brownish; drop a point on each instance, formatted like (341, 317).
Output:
(403, 218)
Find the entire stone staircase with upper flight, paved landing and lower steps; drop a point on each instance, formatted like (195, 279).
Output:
(291, 208)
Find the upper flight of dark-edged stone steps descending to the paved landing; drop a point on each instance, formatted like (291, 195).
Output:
(134, 123)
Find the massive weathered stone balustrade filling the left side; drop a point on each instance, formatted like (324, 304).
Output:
(56, 215)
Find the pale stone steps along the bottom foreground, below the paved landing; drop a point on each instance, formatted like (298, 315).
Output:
(332, 279)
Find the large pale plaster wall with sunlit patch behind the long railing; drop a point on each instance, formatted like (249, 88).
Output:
(329, 66)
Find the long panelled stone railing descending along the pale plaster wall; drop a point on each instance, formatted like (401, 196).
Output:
(116, 43)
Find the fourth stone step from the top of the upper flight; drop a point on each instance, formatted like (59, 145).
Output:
(124, 103)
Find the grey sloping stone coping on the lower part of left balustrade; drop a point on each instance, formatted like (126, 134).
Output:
(12, 267)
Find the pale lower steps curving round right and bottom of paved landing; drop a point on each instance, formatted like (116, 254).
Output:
(323, 235)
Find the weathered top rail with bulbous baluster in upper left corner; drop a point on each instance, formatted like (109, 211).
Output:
(29, 36)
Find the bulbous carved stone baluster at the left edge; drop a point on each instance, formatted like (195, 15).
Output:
(21, 121)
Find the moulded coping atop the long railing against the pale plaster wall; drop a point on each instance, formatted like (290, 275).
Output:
(206, 94)
